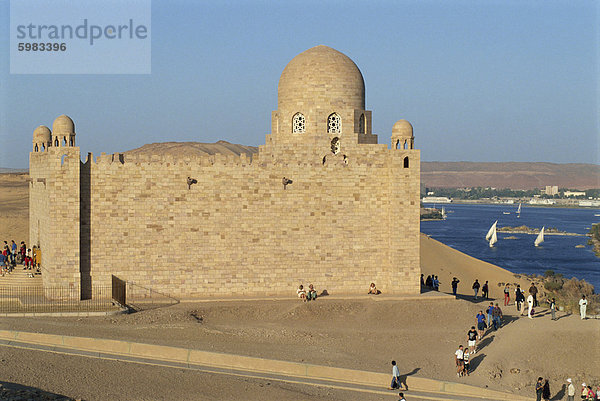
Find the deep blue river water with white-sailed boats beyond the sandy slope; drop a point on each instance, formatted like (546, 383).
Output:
(466, 226)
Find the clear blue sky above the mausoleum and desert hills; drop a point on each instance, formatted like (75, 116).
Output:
(479, 80)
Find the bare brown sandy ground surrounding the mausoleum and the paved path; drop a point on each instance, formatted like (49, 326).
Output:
(365, 333)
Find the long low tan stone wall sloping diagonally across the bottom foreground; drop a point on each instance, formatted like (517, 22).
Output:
(268, 369)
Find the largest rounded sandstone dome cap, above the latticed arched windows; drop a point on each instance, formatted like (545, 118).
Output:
(321, 77)
